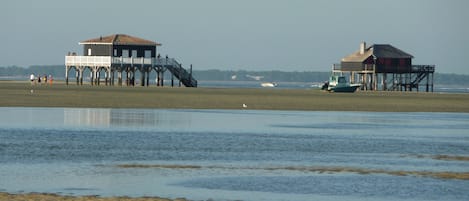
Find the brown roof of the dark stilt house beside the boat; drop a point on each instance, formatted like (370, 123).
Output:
(378, 51)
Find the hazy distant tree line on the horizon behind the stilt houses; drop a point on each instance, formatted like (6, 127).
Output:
(58, 71)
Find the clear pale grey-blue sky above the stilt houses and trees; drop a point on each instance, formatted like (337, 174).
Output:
(258, 35)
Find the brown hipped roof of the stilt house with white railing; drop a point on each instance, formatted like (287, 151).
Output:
(120, 39)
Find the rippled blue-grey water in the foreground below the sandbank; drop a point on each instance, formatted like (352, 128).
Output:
(232, 154)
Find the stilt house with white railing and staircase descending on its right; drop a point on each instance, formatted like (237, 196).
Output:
(124, 55)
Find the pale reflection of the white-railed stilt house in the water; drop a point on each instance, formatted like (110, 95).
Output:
(124, 118)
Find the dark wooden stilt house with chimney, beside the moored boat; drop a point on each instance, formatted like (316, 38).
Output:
(385, 67)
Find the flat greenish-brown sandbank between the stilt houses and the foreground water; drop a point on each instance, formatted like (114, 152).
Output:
(22, 94)
